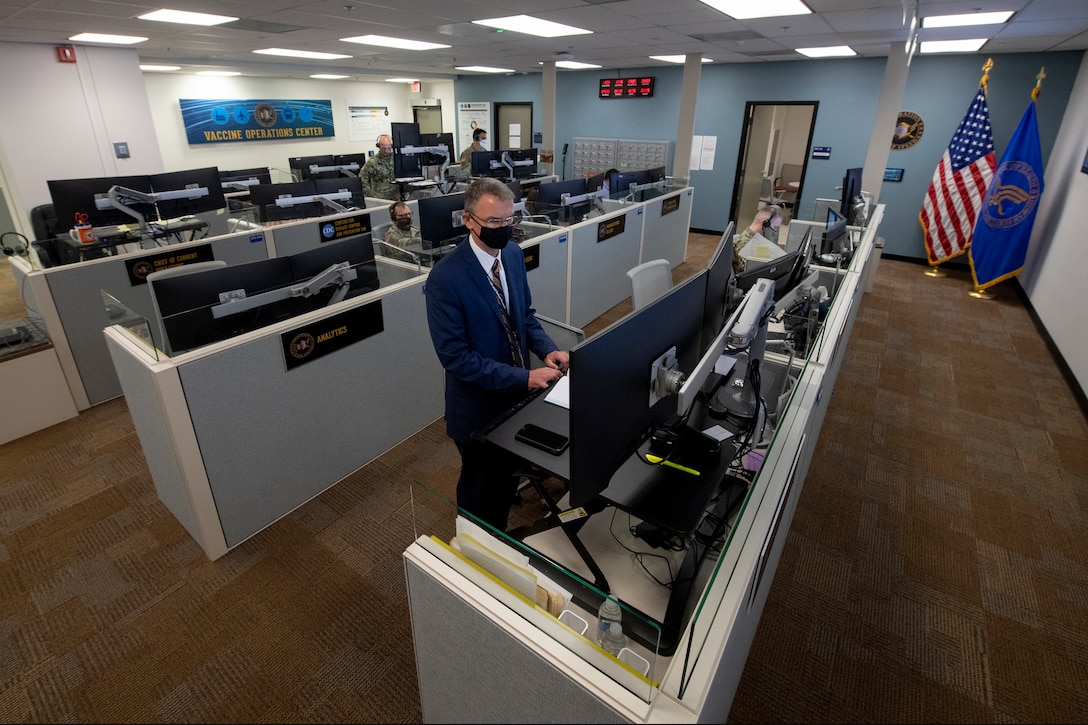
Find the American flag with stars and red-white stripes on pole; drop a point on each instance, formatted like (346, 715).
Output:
(960, 183)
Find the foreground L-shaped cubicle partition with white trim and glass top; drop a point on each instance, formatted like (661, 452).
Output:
(463, 613)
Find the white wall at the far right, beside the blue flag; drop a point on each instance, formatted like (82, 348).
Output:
(1057, 264)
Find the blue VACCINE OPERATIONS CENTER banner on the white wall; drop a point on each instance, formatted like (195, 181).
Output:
(219, 121)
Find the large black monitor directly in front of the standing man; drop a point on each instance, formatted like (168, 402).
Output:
(610, 396)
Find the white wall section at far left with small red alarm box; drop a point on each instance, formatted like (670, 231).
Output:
(60, 120)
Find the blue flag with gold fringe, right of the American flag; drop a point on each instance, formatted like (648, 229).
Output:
(999, 245)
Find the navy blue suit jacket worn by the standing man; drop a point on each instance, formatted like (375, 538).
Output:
(467, 330)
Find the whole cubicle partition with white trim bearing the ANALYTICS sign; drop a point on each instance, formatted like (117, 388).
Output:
(238, 435)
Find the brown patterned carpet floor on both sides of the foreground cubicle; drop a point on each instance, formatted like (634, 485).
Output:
(936, 571)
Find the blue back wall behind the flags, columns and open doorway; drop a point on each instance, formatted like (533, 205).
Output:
(939, 90)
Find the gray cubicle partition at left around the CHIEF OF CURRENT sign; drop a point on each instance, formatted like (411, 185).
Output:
(77, 291)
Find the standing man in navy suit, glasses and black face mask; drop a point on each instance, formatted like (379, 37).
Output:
(484, 327)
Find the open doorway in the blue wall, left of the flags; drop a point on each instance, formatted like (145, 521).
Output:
(773, 158)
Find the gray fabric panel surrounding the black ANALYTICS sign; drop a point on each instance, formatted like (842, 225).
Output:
(273, 439)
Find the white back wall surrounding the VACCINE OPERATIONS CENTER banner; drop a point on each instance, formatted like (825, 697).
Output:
(166, 90)
